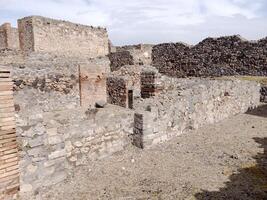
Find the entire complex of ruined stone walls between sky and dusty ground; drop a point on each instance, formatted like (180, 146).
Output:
(68, 96)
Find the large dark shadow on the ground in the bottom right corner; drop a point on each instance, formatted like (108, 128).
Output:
(249, 183)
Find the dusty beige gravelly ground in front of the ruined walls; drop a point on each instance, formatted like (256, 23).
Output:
(221, 161)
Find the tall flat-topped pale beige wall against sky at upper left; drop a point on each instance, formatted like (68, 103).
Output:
(60, 37)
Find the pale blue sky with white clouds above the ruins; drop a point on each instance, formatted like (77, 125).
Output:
(151, 21)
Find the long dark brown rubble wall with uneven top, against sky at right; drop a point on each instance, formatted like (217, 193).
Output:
(212, 57)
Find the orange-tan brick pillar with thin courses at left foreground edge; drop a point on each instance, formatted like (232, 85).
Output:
(9, 171)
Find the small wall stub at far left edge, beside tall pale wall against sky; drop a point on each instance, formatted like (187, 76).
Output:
(8, 37)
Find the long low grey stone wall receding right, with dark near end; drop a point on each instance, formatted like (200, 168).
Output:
(192, 104)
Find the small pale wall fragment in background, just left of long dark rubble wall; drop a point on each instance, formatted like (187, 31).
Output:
(141, 53)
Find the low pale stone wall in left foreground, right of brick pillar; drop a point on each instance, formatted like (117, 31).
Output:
(54, 143)
